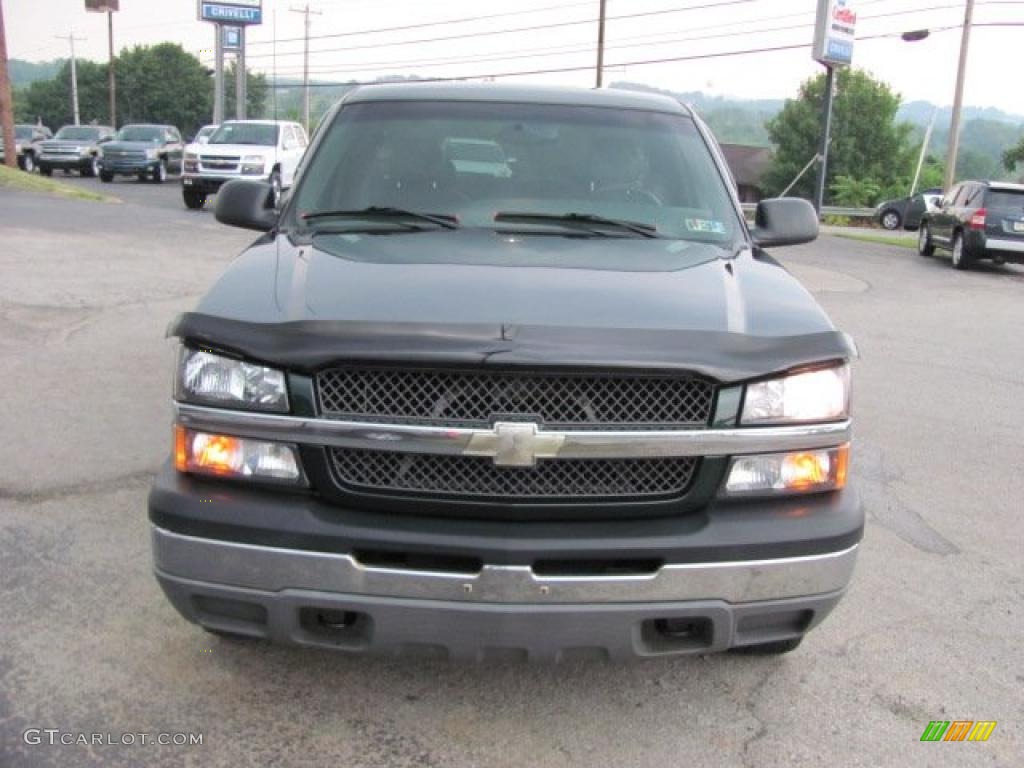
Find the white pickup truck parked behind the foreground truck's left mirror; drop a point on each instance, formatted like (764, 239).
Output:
(265, 150)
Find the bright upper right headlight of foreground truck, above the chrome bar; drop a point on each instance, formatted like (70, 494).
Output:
(808, 397)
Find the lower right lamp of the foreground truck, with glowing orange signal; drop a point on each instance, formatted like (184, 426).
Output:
(800, 473)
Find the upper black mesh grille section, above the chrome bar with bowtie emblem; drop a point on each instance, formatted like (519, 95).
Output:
(556, 401)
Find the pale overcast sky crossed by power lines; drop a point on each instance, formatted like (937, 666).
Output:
(532, 35)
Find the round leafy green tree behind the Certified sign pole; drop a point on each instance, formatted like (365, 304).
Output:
(867, 143)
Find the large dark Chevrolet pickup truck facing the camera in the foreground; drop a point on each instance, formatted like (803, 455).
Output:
(572, 410)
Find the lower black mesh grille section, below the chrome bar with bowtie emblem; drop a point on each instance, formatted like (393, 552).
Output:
(439, 477)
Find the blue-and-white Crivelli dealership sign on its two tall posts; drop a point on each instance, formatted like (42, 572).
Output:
(230, 20)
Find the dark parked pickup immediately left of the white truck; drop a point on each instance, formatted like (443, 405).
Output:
(144, 151)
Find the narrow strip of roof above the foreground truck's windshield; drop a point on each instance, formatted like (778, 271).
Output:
(516, 94)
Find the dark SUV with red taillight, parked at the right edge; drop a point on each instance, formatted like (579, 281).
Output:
(977, 221)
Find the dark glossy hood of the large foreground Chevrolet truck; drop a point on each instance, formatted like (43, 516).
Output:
(481, 277)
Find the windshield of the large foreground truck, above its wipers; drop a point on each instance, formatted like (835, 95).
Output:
(648, 168)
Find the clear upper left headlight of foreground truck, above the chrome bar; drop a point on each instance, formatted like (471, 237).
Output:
(216, 380)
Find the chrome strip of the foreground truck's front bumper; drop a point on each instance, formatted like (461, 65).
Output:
(274, 570)
